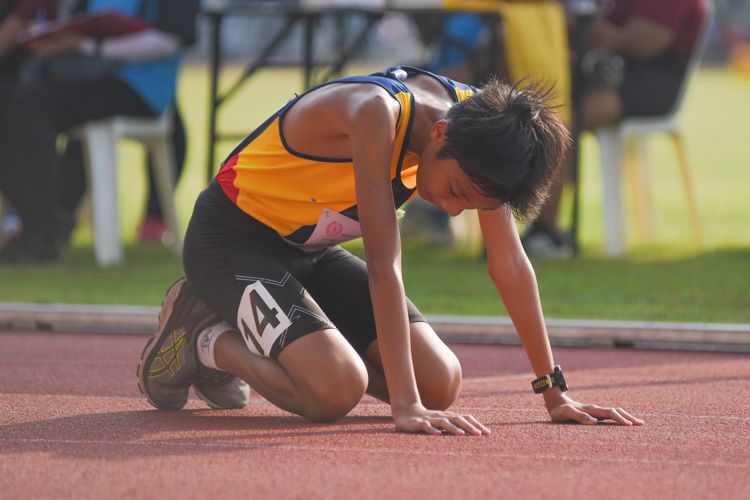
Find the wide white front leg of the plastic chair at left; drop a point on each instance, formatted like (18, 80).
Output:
(101, 158)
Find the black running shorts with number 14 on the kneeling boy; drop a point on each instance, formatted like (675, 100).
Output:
(270, 291)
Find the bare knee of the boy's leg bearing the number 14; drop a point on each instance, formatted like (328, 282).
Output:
(335, 392)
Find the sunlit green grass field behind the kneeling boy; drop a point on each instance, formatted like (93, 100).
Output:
(664, 278)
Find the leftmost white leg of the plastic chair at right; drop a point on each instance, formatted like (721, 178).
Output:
(611, 155)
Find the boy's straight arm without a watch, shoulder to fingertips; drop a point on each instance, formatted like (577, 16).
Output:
(371, 124)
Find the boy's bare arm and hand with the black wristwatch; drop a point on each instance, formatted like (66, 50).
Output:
(514, 278)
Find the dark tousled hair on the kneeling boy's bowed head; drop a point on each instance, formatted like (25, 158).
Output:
(509, 141)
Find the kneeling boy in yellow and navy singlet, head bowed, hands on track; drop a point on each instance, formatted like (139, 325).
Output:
(272, 301)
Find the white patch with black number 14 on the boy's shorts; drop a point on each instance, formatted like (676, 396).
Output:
(260, 319)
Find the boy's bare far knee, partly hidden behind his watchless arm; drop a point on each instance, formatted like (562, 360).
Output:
(436, 368)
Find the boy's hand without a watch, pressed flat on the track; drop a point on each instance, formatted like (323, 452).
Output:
(419, 419)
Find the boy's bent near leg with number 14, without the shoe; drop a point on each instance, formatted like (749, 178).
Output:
(245, 273)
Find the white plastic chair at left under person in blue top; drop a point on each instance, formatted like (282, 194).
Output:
(99, 140)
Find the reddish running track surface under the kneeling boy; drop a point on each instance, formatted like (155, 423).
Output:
(74, 425)
